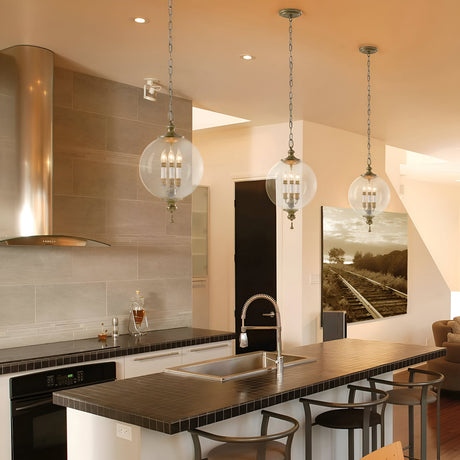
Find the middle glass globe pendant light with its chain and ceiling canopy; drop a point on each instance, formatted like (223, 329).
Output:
(290, 184)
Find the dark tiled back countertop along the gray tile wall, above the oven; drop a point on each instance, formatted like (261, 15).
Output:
(77, 351)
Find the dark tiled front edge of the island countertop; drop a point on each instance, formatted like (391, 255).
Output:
(242, 408)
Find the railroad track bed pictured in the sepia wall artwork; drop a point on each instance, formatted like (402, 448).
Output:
(367, 298)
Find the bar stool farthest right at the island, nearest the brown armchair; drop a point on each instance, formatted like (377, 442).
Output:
(417, 393)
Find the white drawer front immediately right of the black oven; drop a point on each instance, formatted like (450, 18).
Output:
(149, 363)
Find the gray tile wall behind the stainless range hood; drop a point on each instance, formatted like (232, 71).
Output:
(51, 294)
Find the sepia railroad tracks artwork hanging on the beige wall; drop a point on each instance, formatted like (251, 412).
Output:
(363, 273)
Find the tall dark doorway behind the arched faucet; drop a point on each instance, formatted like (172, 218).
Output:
(255, 261)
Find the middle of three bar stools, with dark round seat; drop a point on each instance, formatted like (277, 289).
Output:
(349, 416)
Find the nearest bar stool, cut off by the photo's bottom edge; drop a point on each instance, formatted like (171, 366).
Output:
(263, 447)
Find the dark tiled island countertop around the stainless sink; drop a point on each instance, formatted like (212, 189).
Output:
(172, 403)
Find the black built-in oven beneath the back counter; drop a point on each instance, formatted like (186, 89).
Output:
(38, 427)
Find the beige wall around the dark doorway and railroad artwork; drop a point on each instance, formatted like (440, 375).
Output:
(337, 157)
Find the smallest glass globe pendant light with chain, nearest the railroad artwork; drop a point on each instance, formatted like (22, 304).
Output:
(369, 194)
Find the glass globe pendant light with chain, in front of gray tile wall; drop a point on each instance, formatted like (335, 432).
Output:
(171, 167)
